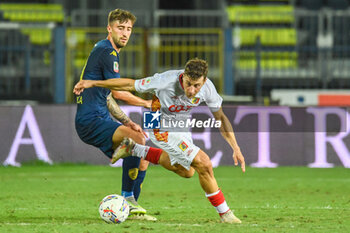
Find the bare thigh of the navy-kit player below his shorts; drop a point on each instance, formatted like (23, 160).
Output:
(123, 131)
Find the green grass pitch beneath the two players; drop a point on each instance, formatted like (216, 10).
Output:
(65, 198)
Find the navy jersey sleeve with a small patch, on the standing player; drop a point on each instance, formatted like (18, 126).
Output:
(109, 63)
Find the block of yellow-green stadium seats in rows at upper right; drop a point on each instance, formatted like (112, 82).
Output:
(273, 25)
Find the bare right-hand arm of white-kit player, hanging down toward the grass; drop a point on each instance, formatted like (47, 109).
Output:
(227, 132)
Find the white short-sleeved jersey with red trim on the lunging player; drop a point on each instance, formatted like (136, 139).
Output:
(168, 88)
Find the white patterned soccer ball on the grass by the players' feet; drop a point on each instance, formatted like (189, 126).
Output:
(114, 209)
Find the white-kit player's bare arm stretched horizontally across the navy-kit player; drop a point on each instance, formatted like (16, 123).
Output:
(119, 84)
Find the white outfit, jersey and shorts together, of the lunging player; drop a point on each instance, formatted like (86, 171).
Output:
(174, 104)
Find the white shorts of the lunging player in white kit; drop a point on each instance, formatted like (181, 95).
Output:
(179, 147)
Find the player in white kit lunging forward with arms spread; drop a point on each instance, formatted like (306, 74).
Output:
(176, 93)
